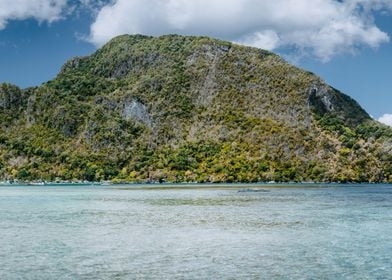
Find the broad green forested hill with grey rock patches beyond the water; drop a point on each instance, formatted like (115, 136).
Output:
(177, 109)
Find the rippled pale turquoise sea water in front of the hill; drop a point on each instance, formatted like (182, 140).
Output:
(129, 233)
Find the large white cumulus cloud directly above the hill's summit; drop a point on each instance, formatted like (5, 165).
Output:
(322, 28)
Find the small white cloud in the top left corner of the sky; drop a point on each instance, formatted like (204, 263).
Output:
(41, 10)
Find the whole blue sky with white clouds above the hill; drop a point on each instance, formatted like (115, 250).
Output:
(348, 43)
